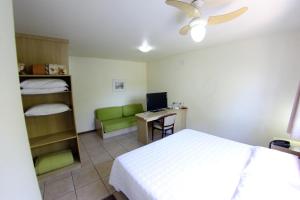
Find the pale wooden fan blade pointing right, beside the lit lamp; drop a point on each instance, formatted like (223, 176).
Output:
(212, 20)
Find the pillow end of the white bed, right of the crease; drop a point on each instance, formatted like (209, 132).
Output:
(270, 174)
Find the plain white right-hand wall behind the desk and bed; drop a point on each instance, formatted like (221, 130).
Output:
(240, 90)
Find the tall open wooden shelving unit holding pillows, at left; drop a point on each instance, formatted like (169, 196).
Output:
(48, 133)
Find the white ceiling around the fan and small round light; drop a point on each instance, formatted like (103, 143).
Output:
(114, 28)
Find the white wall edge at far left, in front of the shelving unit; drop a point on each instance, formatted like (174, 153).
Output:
(18, 180)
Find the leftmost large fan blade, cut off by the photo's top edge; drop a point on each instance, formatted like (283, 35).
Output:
(190, 10)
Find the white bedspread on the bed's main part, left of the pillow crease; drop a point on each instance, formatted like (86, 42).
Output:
(186, 165)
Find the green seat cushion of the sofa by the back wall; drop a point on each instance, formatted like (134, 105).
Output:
(117, 124)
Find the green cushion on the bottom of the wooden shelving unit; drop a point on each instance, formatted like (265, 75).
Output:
(52, 161)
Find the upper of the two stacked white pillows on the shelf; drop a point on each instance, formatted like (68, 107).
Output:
(43, 83)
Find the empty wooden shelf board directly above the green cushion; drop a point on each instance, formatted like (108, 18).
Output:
(52, 138)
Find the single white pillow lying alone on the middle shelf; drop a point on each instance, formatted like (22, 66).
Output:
(46, 109)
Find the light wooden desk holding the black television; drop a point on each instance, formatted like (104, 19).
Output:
(144, 119)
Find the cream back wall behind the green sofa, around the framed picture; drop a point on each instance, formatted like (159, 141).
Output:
(92, 86)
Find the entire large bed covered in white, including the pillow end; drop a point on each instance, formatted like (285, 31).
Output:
(195, 165)
